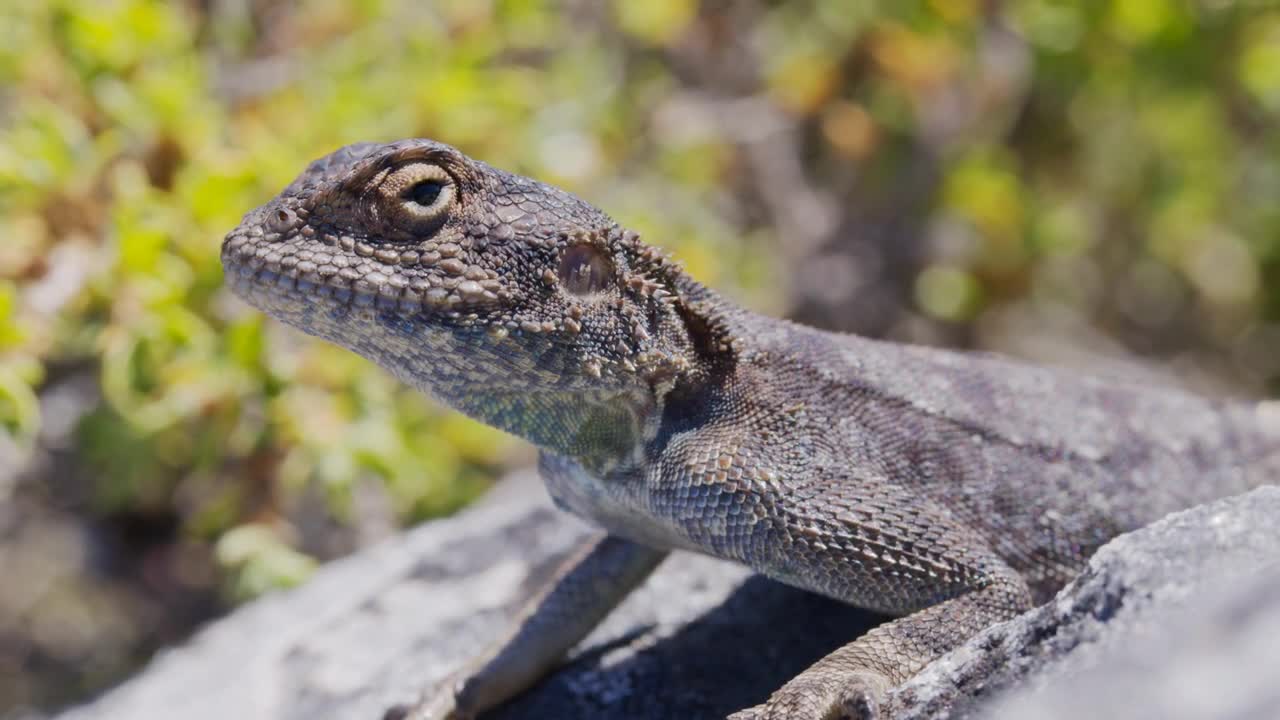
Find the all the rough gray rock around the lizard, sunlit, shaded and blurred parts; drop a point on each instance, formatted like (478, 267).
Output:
(1163, 612)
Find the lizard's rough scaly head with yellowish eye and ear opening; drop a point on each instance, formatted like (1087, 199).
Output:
(486, 289)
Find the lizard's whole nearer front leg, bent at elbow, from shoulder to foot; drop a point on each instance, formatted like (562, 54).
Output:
(849, 532)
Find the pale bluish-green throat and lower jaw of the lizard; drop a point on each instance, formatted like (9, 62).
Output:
(501, 380)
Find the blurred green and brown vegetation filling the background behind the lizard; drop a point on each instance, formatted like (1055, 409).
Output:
(1089, 184)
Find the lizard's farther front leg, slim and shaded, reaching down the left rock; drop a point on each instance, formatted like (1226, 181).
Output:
(589, 585)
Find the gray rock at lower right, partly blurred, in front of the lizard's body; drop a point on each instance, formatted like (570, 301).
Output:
(1180, 621)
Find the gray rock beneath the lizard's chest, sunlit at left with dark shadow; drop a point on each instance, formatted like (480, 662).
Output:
(700, 640)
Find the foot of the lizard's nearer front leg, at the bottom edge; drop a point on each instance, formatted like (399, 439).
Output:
(857, 696)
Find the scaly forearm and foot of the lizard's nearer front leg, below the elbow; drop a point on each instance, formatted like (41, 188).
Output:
(853, 682)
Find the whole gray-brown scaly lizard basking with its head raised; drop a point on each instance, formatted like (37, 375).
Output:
(948, 490)
